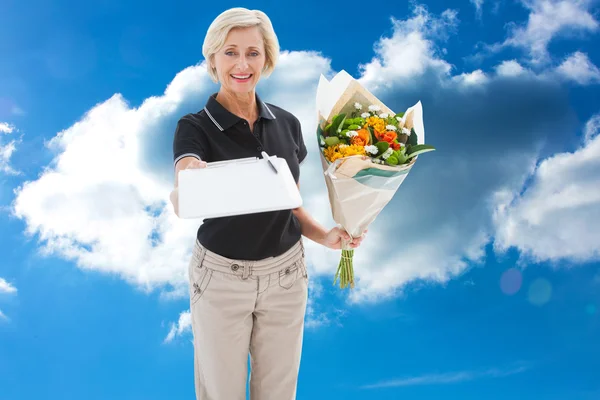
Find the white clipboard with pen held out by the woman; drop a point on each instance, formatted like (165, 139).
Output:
(237, 187)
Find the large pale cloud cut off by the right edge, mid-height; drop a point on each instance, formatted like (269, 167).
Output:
(554, 217)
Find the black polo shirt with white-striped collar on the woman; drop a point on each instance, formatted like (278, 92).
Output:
(215, 134)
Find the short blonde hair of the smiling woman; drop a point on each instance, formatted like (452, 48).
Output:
(240, 18)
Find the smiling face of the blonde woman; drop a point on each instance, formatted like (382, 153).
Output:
(241, 60)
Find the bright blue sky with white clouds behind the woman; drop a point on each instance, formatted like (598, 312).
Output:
(480, 279)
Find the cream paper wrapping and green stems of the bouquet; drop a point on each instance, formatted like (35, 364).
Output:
(359, 188)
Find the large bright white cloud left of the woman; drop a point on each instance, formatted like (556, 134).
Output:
(97, 203)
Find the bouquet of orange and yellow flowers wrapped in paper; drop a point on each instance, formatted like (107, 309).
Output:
(367, 150)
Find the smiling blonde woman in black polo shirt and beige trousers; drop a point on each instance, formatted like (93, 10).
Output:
(248, 276)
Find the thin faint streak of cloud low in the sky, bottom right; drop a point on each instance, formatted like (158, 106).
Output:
(449, 378)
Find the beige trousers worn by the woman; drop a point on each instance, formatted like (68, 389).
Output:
(241, 308)
